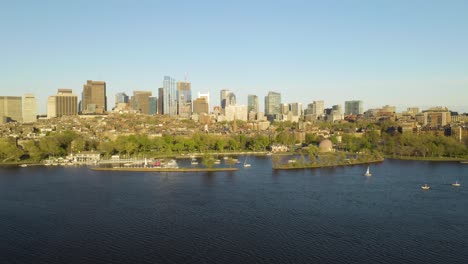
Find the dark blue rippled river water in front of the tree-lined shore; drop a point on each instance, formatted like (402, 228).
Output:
(254, 215)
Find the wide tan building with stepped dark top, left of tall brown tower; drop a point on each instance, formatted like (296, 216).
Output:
(63, 103)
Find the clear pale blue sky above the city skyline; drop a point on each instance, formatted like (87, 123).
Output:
(403, 53)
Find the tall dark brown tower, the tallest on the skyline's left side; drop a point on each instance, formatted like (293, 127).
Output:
(94, 99)
